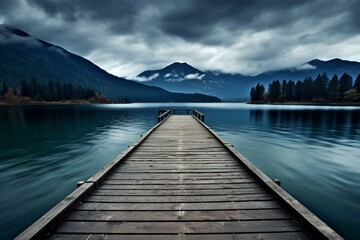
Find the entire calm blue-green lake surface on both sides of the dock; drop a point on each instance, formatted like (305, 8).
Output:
(46, 150)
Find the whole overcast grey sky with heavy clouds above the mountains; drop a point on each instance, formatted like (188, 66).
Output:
(126, 37)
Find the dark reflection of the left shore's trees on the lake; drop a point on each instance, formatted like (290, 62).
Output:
(21, 126)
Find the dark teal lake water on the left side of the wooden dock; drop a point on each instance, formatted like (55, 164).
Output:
(45, 150)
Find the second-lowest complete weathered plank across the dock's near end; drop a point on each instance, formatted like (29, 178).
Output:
(176, 216)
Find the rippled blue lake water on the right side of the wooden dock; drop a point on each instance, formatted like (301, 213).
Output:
(314, 151)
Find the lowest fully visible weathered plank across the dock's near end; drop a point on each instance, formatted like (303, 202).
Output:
(179, 227)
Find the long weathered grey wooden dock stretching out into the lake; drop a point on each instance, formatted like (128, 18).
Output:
(180, 181)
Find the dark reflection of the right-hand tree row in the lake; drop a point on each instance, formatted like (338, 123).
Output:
(311, 122)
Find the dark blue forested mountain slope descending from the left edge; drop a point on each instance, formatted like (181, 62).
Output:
(24, 57)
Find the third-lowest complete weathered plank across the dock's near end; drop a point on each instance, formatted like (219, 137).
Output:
(177, 206)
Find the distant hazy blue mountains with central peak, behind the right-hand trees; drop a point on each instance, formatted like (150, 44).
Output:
(181, 77)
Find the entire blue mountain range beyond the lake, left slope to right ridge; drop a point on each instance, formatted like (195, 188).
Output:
(25, 57)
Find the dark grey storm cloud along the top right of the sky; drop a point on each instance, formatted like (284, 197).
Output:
(197, 20)
